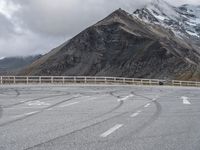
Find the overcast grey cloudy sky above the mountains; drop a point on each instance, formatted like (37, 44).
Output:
(30, 27)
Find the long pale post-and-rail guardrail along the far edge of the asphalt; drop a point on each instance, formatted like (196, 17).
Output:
(91, 80)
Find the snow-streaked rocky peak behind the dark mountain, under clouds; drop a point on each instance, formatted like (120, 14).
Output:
(183, 20)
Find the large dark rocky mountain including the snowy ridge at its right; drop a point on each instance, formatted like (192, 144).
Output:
(147, 44)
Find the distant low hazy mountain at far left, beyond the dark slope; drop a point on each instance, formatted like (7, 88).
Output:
(11, 65)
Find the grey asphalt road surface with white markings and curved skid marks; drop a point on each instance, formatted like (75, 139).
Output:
(99, 118)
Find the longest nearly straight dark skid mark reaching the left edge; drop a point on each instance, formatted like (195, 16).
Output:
(42, 110)
